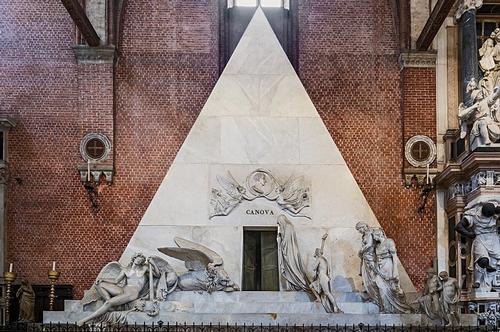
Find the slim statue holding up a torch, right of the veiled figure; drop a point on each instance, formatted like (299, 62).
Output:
(321, 280)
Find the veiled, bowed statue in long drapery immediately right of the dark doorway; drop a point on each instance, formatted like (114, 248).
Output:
(291, 265)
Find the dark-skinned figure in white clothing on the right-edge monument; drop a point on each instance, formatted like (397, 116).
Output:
(479, 223)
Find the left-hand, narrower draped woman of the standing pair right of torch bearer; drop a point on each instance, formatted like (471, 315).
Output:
(367, 256)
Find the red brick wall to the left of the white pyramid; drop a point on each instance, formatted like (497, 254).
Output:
(168, 66)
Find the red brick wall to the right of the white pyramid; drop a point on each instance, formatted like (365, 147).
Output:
(349, 66)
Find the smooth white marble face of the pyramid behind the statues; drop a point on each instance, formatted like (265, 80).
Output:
(259, 116)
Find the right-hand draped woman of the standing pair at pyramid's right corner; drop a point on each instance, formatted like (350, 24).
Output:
(390, 295)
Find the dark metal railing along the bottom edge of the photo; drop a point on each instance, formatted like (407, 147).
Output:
(234, 328)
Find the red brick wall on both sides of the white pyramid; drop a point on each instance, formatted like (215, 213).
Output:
(168, 65)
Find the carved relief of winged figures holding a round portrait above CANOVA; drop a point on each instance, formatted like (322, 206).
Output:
(291, 196)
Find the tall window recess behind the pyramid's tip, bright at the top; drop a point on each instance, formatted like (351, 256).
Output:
(236, 14)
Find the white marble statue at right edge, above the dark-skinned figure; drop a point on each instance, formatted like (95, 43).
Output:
(485, 129)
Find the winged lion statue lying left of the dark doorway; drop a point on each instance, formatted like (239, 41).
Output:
(205, 268)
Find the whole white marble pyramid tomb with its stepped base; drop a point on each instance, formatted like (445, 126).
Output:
(258, 151)
